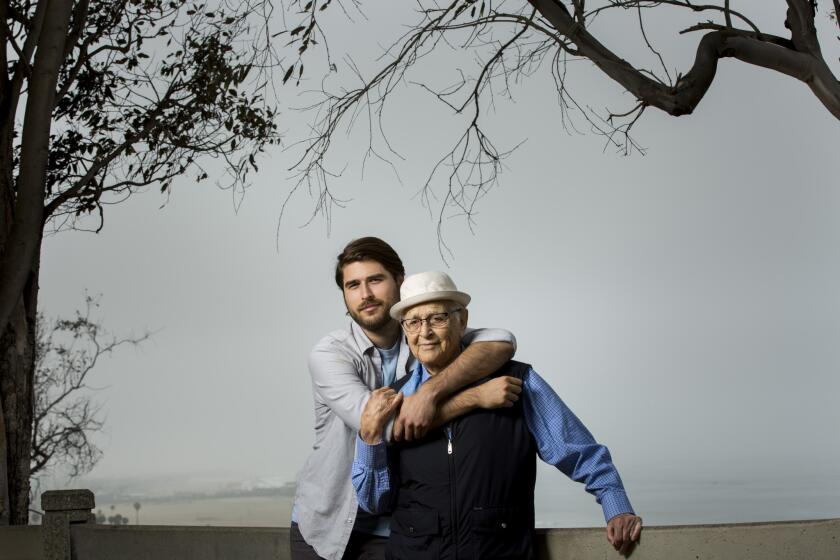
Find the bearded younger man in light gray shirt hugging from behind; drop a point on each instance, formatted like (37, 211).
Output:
(345, 367)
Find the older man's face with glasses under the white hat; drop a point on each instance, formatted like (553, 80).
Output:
(436, 347)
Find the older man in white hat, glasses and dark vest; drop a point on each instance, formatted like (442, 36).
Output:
(467, 490)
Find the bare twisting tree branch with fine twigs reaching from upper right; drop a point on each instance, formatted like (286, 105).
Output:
(509, 40)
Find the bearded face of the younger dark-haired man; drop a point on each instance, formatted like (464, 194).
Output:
(369, 292)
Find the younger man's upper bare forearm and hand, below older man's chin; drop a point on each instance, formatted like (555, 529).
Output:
(477, 361)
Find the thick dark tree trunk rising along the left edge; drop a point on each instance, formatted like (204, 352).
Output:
(21, 230)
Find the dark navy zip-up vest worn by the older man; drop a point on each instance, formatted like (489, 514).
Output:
(467, 491)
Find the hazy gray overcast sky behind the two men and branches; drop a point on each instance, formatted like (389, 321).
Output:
(684, 303)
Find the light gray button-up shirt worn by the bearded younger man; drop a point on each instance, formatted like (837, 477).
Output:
(345, 367)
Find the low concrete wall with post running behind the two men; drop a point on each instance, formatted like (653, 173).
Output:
(68, 532)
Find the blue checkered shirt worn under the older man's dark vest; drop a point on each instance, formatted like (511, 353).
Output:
(562, 440)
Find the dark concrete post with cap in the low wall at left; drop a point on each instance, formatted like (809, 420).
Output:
(61, 509)
